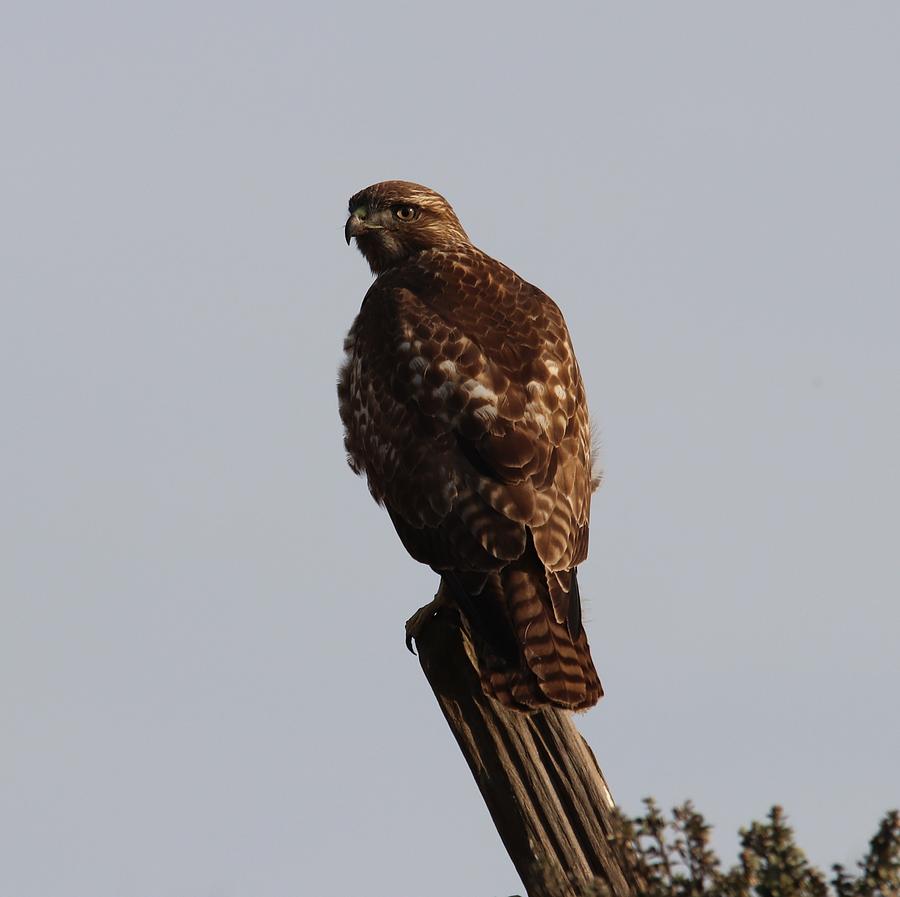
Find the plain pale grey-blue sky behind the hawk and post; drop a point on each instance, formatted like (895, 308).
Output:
(203, 686)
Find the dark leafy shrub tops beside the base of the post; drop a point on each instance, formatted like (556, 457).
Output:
(673, 858)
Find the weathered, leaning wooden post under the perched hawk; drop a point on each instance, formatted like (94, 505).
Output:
(536, 773)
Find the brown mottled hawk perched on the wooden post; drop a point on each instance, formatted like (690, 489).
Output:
(463, 405)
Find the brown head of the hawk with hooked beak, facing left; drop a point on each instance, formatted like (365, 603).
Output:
(395, 219)
